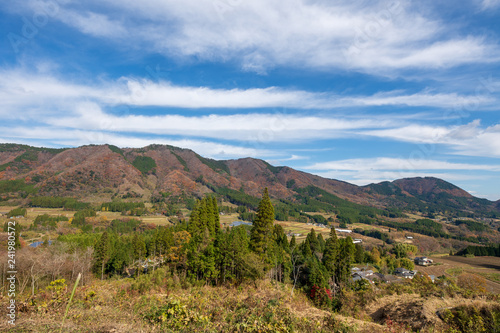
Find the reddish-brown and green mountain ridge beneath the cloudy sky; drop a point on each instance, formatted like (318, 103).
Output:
(104, 170)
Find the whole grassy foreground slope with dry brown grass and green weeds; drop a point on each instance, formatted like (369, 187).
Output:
(162, 302)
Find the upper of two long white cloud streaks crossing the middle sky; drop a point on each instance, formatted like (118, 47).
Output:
(21, 88)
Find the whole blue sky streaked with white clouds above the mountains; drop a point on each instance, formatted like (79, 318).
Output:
(361, 91)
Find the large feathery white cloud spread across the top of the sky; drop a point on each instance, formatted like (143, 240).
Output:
(372, 37)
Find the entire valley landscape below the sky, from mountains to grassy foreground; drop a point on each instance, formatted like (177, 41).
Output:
(151, 232)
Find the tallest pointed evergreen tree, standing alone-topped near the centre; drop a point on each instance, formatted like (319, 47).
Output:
(262, 226)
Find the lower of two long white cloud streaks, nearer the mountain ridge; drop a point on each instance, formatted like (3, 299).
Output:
(254, 127)
